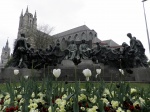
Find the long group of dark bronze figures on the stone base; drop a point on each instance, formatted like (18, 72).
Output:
(126, 56)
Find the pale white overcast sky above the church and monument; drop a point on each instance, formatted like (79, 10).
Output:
(111, 19)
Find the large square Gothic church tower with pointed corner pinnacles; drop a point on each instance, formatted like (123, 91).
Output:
(27, 24)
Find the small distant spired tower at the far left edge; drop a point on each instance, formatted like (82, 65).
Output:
(5, 54)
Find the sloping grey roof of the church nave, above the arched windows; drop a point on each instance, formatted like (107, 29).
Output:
(77, 29)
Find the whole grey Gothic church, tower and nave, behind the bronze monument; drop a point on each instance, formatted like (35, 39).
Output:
(28, 23)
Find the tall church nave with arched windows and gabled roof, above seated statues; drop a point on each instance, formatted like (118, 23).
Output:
(76, 34)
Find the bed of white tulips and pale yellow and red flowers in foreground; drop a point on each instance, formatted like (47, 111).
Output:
(54, 96)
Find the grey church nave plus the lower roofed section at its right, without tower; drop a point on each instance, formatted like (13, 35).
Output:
(80, 33)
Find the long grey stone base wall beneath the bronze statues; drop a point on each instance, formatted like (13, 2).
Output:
(70, 72)
